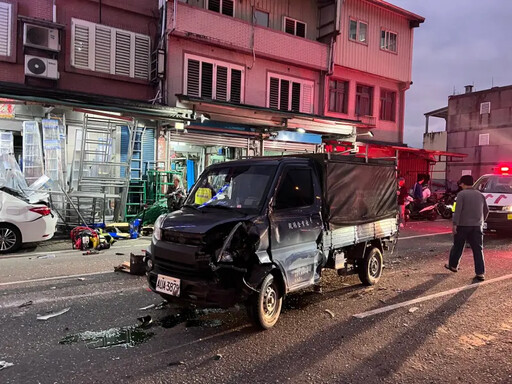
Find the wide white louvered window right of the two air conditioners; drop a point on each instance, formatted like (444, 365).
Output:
(110, 50)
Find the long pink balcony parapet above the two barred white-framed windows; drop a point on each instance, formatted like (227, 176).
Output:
(237, 34)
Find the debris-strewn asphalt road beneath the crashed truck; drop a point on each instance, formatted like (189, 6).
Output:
(464, 334)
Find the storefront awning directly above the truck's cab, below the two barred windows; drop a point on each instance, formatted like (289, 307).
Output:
(271, 120)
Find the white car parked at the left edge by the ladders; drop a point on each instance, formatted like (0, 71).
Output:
(22, 222)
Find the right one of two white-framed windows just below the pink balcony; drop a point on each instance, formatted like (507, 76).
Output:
(290, 94)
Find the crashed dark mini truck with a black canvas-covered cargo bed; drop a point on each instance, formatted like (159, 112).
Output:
(252, 231)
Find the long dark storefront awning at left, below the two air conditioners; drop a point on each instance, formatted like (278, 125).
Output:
(126, 107)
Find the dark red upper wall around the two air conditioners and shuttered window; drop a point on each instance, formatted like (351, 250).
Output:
(132, 15)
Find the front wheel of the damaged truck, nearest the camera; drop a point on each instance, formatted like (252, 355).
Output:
(264, 307)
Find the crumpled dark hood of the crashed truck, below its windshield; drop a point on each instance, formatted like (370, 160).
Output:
(191, 221)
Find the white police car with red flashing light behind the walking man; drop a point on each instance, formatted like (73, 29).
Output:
(497, 189)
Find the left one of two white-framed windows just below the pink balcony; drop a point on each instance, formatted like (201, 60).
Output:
(213, 79)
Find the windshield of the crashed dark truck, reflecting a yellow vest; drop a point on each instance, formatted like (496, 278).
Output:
(241, 187)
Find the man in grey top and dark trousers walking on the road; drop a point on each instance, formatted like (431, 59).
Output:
(470, 214)
